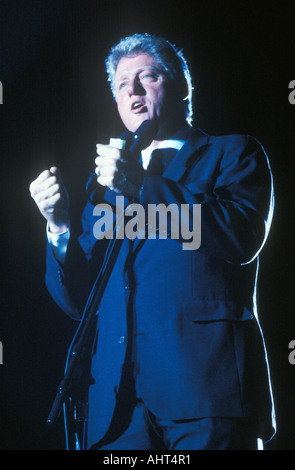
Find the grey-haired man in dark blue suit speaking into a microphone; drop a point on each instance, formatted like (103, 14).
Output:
(178, 358)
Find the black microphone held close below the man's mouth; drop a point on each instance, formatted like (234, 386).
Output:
(135, 143)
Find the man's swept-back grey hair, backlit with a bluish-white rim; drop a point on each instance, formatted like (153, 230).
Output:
(164, 53)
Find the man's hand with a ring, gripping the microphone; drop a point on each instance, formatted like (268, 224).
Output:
(118, 170)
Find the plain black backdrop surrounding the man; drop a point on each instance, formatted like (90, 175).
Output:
(57, 106)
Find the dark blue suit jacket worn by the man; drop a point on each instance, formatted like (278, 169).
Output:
(190, 315)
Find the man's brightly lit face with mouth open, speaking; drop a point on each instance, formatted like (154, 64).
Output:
(141, 91)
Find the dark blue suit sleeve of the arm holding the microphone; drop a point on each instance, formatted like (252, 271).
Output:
(234, 188)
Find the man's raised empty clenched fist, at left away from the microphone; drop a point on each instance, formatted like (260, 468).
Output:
(51, 197)
